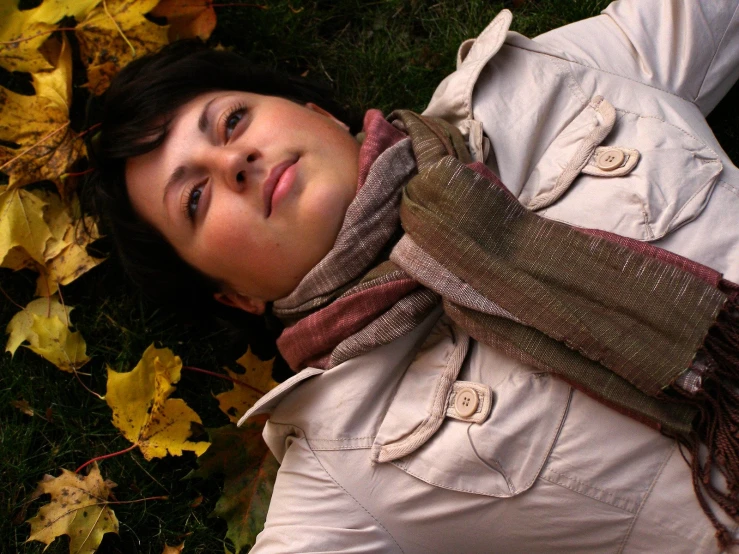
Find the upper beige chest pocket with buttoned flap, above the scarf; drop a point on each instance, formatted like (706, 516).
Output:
(664, 179)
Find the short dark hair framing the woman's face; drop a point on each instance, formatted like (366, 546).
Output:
(138, 109)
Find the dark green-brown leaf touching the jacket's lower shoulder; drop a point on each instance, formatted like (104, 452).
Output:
(249, 469)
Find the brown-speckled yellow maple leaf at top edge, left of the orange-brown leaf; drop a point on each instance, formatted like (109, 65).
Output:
(113, 34)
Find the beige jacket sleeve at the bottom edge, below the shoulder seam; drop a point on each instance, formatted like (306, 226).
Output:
(311, 513)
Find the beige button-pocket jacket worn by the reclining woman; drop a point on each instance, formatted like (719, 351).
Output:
(438, 444)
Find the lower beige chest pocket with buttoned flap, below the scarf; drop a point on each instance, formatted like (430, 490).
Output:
(501, 452)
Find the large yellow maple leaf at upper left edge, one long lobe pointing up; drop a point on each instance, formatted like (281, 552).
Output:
(39, 125)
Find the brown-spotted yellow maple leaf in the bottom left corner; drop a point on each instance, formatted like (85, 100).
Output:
(78, 508)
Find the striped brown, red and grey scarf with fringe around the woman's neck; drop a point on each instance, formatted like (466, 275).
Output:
(647, 332)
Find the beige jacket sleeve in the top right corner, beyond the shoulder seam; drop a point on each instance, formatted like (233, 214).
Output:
(686, 47)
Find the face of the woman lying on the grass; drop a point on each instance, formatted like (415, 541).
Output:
(251, 190)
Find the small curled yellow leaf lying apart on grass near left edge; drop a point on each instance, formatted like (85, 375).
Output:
(44, 324)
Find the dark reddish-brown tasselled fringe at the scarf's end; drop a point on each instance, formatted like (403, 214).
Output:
(715, 441)
